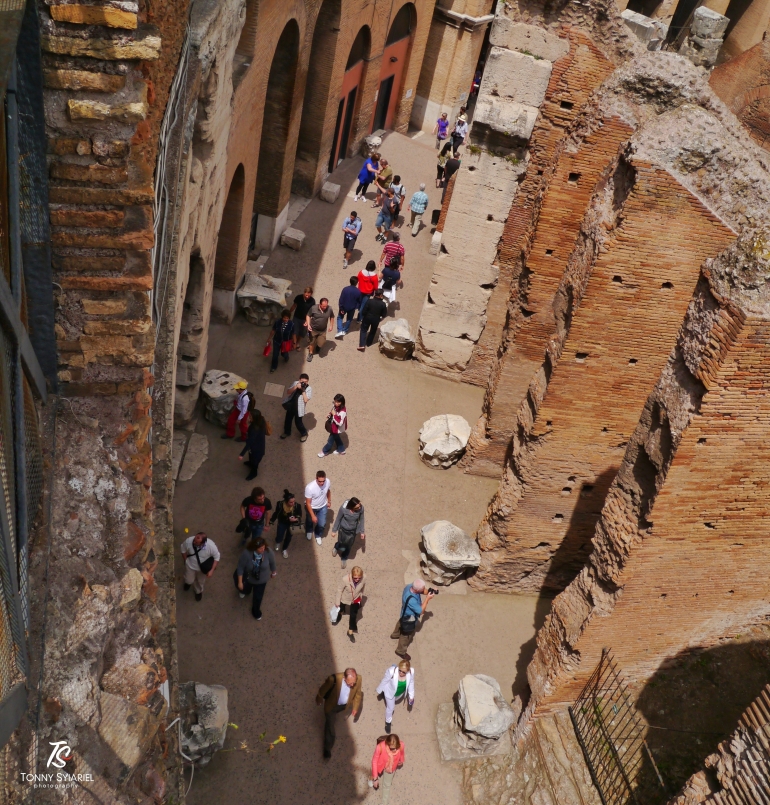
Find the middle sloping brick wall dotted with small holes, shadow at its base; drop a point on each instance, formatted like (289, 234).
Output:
(621, 320)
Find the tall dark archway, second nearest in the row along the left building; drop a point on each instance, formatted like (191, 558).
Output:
(269, 199)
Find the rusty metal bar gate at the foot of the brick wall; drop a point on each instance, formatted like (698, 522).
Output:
(612, 733)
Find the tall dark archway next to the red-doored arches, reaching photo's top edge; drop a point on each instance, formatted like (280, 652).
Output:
(316, 102)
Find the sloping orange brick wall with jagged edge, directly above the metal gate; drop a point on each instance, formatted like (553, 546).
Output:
(678, 559)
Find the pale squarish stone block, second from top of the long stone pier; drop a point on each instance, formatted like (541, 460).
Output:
(515, 76)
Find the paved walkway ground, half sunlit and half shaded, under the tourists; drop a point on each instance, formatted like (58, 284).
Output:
(272, 669)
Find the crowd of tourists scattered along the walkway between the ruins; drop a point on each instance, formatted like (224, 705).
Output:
(365, 298)
